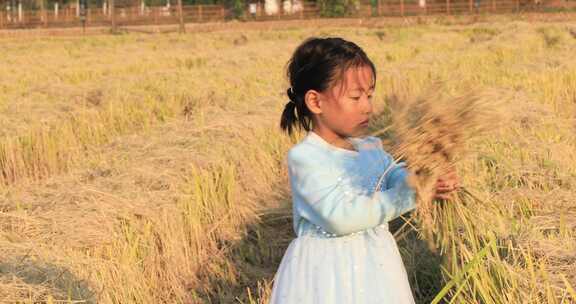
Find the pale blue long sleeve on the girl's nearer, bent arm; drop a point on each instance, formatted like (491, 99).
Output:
(328, 200)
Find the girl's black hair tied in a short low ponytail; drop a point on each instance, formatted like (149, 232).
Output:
(315, 65)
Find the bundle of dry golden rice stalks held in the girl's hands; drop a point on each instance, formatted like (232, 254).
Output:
(430, 133)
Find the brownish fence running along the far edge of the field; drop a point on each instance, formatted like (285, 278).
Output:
(72, 16)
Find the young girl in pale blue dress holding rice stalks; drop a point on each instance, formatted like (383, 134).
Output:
(344, 252)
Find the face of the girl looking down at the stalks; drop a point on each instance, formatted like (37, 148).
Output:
(345, 108)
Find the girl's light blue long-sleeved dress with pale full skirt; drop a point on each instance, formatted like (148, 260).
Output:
(344, 252)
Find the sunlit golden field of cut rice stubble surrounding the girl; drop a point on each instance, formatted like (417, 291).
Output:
(143, 168)
